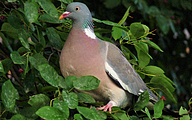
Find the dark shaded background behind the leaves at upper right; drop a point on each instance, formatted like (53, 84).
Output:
(172, 20)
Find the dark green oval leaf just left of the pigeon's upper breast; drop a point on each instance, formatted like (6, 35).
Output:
(54, 38)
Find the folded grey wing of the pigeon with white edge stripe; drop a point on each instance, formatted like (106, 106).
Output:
(121, 71)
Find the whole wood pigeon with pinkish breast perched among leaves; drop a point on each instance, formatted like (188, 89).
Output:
(85, 54)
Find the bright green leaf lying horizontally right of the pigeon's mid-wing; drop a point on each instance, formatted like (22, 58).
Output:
(153, 70)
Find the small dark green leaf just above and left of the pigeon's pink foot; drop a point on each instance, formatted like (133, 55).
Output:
(85, 98)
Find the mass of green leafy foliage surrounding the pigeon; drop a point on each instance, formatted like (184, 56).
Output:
(32, 36)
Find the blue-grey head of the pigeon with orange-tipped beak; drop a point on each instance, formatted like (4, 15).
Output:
(80, 15)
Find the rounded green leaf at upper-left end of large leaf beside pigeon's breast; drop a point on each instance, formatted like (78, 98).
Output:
(37, 60)
